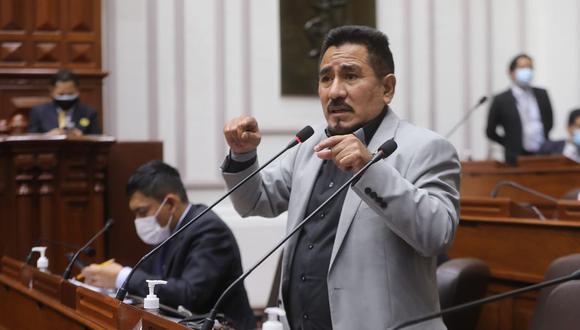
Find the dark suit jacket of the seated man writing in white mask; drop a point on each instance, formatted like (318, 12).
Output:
(198, 266)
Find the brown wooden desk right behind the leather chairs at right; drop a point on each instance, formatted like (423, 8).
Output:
(518, 250)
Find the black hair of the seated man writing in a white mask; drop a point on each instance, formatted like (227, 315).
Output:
(156, 179)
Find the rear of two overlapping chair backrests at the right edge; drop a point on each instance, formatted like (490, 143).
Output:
(560, 267)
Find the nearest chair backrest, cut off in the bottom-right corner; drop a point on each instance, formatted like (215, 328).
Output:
(560, 309)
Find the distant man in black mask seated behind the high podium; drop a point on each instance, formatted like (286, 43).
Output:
(65, 114)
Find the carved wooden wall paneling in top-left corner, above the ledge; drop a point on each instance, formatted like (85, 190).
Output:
(50, 34)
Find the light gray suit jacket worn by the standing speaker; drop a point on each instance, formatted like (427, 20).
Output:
(383, 263)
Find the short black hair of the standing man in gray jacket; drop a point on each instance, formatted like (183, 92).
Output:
(376, 42)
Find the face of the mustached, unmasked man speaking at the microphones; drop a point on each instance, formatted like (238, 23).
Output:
(350, 93)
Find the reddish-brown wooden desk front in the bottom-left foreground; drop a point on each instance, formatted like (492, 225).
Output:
(24, 307)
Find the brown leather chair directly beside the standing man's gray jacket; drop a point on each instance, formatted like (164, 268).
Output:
(459, 281)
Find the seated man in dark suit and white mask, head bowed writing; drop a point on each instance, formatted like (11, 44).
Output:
(198, 264)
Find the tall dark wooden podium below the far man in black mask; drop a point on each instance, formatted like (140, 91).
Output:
(52, 187)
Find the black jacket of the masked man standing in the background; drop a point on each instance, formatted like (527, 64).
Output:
(504, 112)
